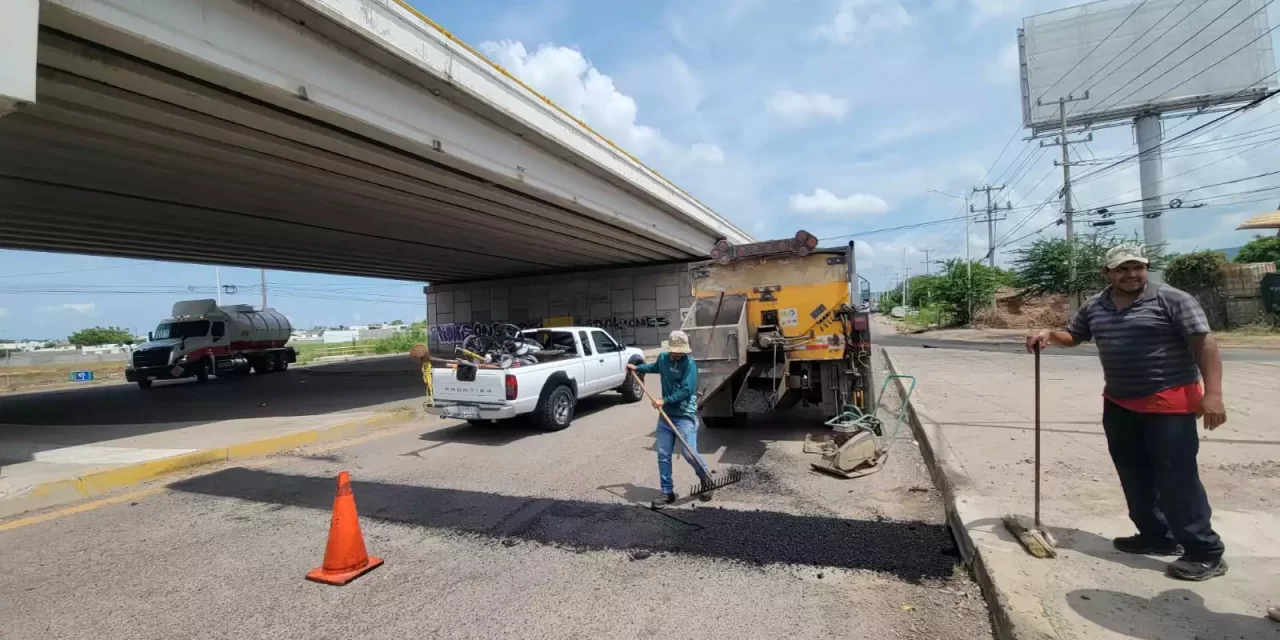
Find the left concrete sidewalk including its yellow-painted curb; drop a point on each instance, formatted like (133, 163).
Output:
(43, 467)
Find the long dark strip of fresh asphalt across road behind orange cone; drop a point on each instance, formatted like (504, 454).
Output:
(909, 551)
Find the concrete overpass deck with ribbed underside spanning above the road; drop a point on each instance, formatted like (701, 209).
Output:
(340, 136)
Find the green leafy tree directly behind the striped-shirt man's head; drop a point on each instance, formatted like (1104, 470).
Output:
(1044, 267)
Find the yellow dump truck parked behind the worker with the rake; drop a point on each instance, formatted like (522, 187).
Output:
(778, 324)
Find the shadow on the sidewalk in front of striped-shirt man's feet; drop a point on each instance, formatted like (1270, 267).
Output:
(1173, 614)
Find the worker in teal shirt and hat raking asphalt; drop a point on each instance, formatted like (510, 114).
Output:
(679, 376)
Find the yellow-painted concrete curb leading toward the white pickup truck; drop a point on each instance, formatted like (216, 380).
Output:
(98, 483)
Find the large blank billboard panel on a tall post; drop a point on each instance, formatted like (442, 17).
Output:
(1139, 57)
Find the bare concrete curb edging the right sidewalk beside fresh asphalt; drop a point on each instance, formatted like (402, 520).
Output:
(1009, 621)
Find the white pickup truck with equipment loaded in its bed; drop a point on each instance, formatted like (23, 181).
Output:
(593, 363)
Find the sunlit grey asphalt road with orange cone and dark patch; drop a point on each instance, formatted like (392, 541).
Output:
(506, 532)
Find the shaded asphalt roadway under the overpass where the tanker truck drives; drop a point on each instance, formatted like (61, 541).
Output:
(298, 392)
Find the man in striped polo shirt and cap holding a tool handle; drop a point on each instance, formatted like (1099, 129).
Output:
(1155, 346)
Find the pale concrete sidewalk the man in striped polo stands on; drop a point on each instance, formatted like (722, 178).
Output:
(976, 424)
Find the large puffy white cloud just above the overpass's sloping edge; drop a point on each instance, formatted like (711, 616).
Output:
(572, 81)
